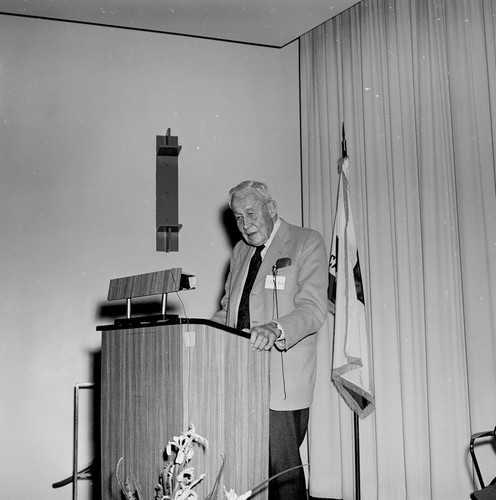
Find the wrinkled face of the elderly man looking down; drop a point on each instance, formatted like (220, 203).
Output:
(255, 218)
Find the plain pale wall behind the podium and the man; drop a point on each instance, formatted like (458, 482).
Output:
(80, 108)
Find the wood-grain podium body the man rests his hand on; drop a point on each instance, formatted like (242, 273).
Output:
(158, 377)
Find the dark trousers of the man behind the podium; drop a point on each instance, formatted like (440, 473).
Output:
(287, 430)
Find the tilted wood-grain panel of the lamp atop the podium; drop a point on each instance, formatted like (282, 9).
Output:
(141, 285)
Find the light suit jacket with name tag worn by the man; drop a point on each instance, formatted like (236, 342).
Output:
(300, 308)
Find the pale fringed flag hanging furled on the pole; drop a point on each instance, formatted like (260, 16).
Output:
(350, 364)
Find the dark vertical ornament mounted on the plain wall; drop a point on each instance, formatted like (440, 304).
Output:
(167, 193)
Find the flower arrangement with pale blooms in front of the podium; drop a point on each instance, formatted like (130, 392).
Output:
(177, 479)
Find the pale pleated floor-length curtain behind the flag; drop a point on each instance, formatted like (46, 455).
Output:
(414, 83)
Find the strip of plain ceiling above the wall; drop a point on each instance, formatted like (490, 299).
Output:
(273, 23)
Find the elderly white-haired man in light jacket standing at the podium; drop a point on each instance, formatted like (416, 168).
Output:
(281, 317)
